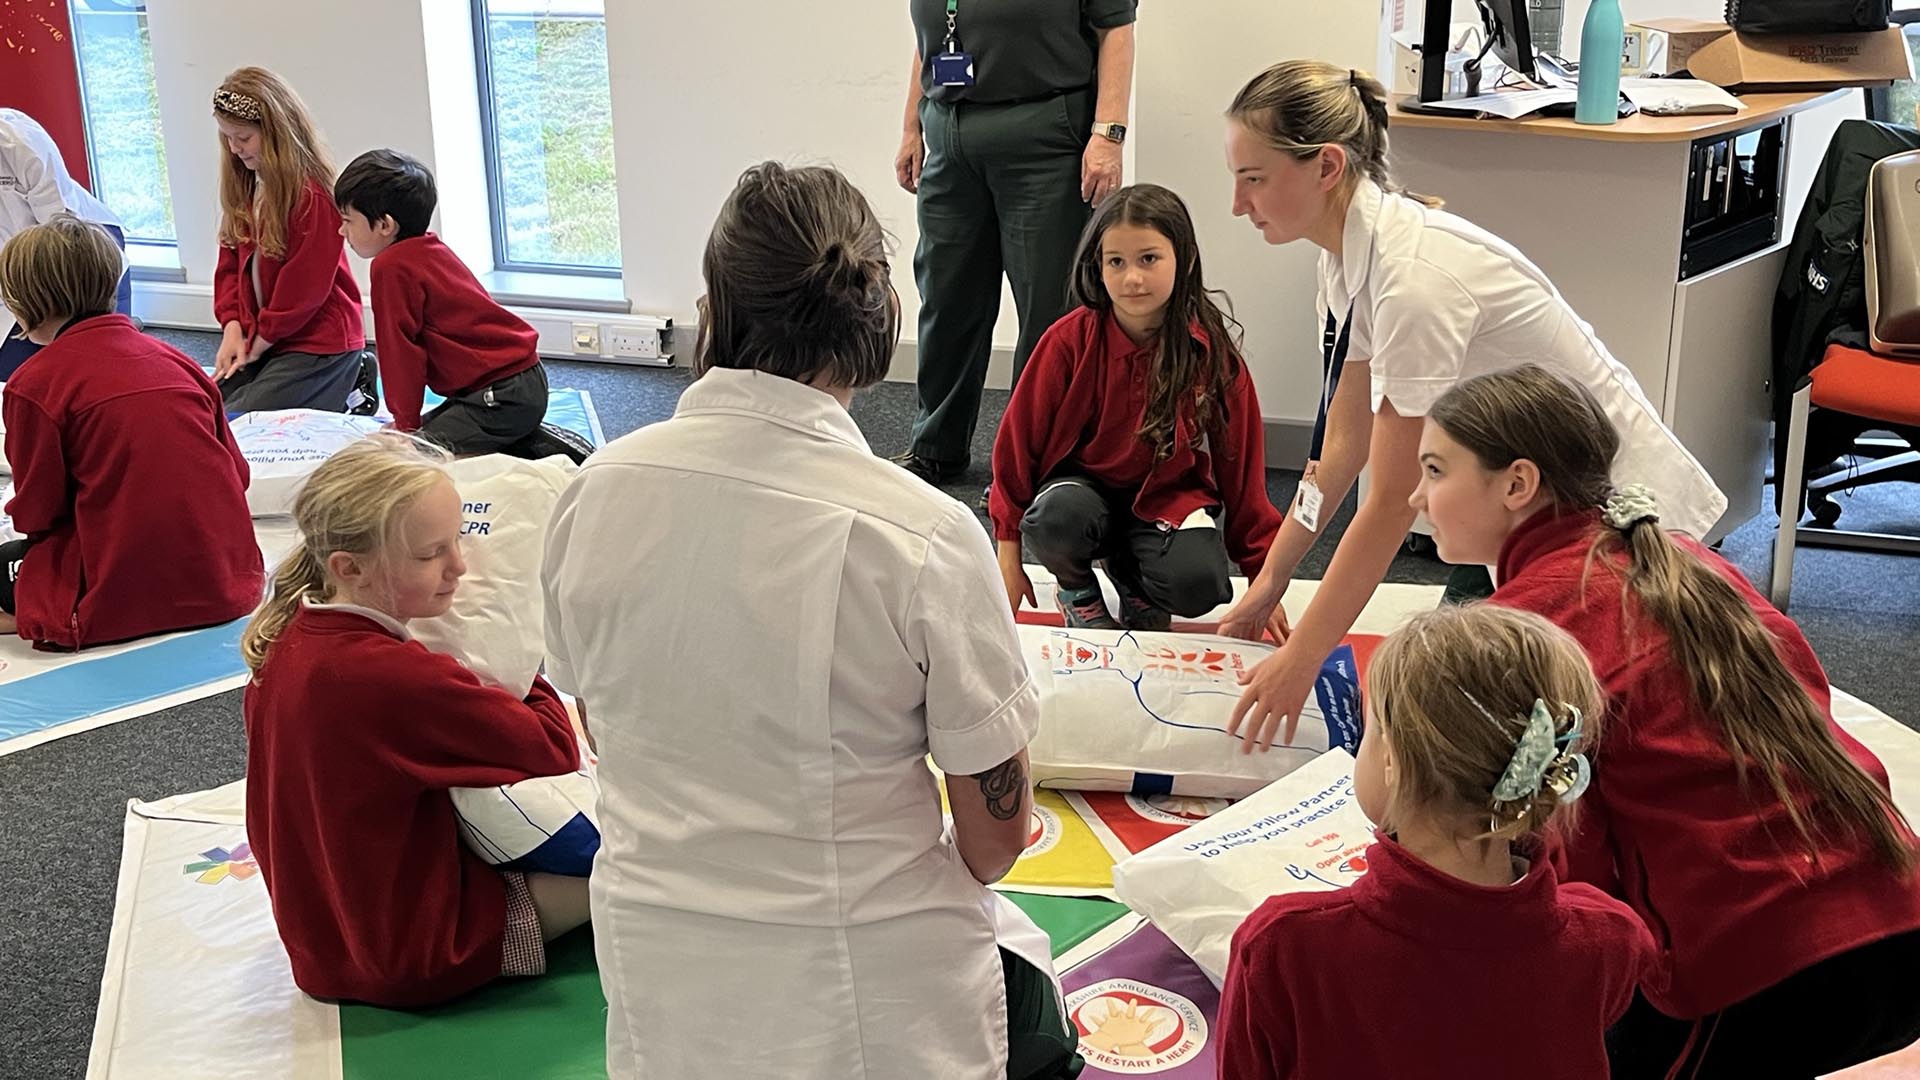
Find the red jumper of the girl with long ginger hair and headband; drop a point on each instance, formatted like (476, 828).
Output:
(308, 299)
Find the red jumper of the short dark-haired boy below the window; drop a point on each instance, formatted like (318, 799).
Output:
(437, 328)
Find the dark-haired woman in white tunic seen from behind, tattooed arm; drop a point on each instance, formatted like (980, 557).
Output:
(769, 631)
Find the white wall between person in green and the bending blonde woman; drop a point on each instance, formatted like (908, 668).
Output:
(1191, 62)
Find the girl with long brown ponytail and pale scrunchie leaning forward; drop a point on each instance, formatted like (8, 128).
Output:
(1754, 835)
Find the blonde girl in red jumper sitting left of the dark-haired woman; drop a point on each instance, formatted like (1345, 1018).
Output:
(356, 733)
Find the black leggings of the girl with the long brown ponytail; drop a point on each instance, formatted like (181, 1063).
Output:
(1836, 1014)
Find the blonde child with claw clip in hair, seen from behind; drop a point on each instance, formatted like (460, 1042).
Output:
(1460, 952)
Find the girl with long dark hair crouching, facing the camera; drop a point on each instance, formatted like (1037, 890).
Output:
(1134, 435)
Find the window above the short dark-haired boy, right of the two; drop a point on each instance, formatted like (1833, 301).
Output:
(546, 116)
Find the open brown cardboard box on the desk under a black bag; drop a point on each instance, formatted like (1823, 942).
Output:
(1785, 62)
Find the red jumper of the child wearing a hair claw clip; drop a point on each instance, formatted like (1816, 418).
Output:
(1412, 975)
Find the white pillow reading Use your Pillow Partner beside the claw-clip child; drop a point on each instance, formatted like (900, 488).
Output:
(1299, 835)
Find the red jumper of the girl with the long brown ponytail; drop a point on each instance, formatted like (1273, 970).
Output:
(1719, 877)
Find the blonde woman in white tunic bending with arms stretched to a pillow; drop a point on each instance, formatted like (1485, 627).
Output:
(1412, 303)
